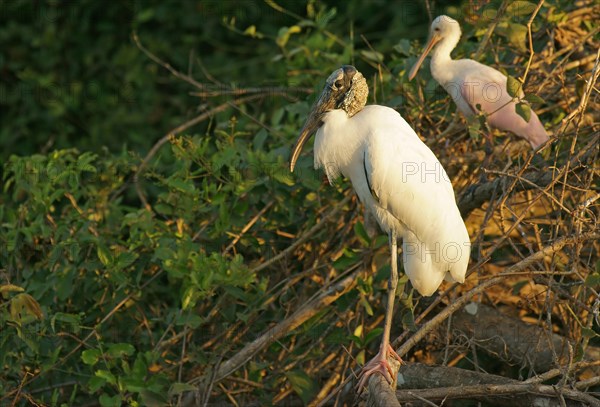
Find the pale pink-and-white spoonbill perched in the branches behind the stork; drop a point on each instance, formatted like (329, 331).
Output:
(470, 84)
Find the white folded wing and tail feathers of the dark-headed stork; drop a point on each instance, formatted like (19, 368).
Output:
(411, 185)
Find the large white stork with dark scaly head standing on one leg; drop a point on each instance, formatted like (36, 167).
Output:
(399, 180)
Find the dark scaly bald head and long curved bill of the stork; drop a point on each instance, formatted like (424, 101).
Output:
(345, 89)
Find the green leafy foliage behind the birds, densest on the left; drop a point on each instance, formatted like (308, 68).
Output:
(121, 282)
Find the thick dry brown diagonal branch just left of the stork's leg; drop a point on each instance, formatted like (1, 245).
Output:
(326, 296)
